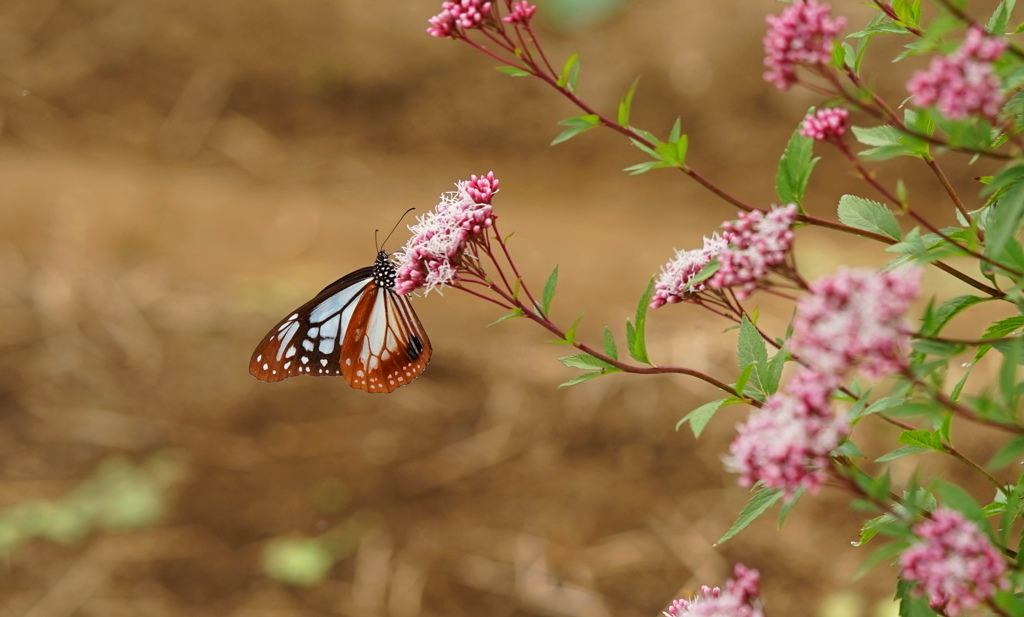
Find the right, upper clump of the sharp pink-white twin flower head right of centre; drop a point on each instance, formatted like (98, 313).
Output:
(757, 243)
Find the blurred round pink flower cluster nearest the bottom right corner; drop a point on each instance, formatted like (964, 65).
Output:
(955, 564)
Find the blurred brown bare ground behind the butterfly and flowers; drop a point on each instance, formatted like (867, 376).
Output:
(176, 177)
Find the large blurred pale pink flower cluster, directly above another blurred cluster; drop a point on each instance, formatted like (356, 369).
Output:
(856, 320)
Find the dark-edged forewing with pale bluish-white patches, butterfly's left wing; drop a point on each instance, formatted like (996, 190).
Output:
(310, 340)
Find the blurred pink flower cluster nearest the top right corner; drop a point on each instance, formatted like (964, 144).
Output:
(963, 84)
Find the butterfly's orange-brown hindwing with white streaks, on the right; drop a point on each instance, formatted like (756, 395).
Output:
(386, 346)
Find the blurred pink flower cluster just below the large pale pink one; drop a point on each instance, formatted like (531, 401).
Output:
(787, 444)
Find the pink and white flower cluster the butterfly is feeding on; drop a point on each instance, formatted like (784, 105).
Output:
(433, 257)
